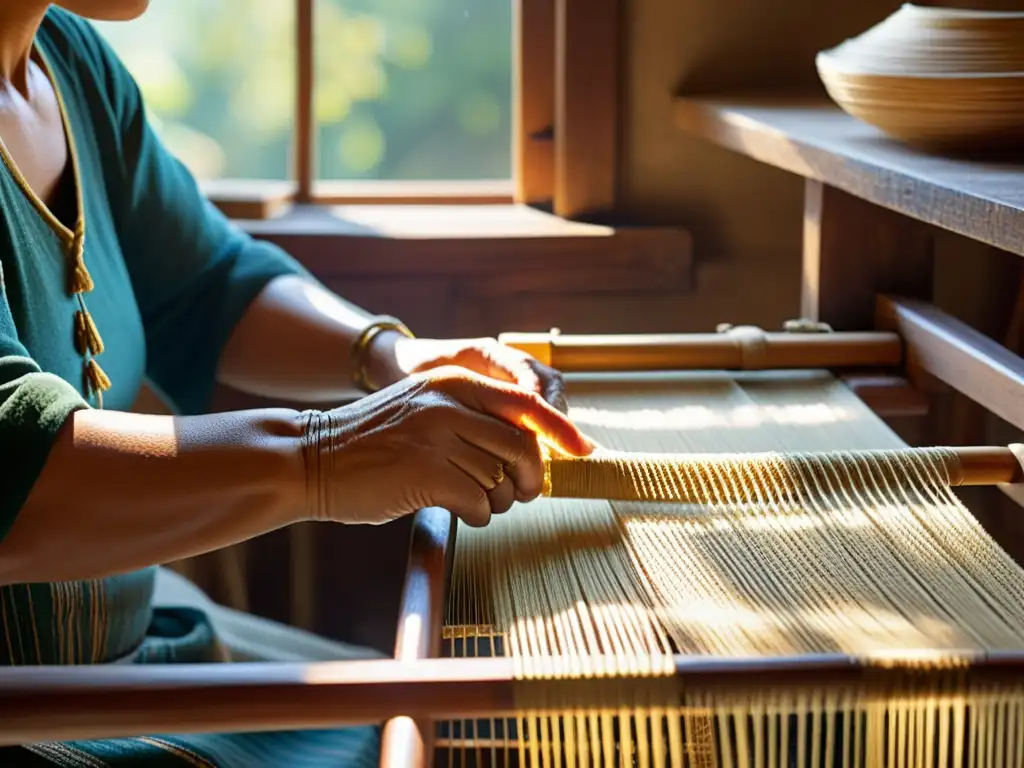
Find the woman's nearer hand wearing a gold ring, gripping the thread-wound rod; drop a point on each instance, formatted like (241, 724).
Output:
(444, 439)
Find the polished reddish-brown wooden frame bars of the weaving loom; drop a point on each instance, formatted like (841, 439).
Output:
(417, 688)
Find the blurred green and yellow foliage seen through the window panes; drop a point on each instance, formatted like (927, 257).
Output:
(406, 90)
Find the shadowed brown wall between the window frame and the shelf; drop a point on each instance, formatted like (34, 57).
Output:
(746, 218)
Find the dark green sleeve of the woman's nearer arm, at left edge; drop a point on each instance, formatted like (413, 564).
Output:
(34, 407)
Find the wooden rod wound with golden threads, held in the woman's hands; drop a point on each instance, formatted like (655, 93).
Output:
(699, 479)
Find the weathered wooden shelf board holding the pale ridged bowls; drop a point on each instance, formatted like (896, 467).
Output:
(813, 138)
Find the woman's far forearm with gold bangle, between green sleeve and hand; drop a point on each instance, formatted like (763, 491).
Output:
(295, 343)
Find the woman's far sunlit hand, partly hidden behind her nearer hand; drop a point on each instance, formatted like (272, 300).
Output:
(485, 357)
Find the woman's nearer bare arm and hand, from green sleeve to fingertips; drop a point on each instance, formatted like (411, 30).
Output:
(120, 492)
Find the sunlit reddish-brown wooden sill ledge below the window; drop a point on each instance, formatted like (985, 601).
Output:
(504, 248)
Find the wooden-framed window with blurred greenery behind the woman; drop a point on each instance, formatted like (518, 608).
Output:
(380, 101)
